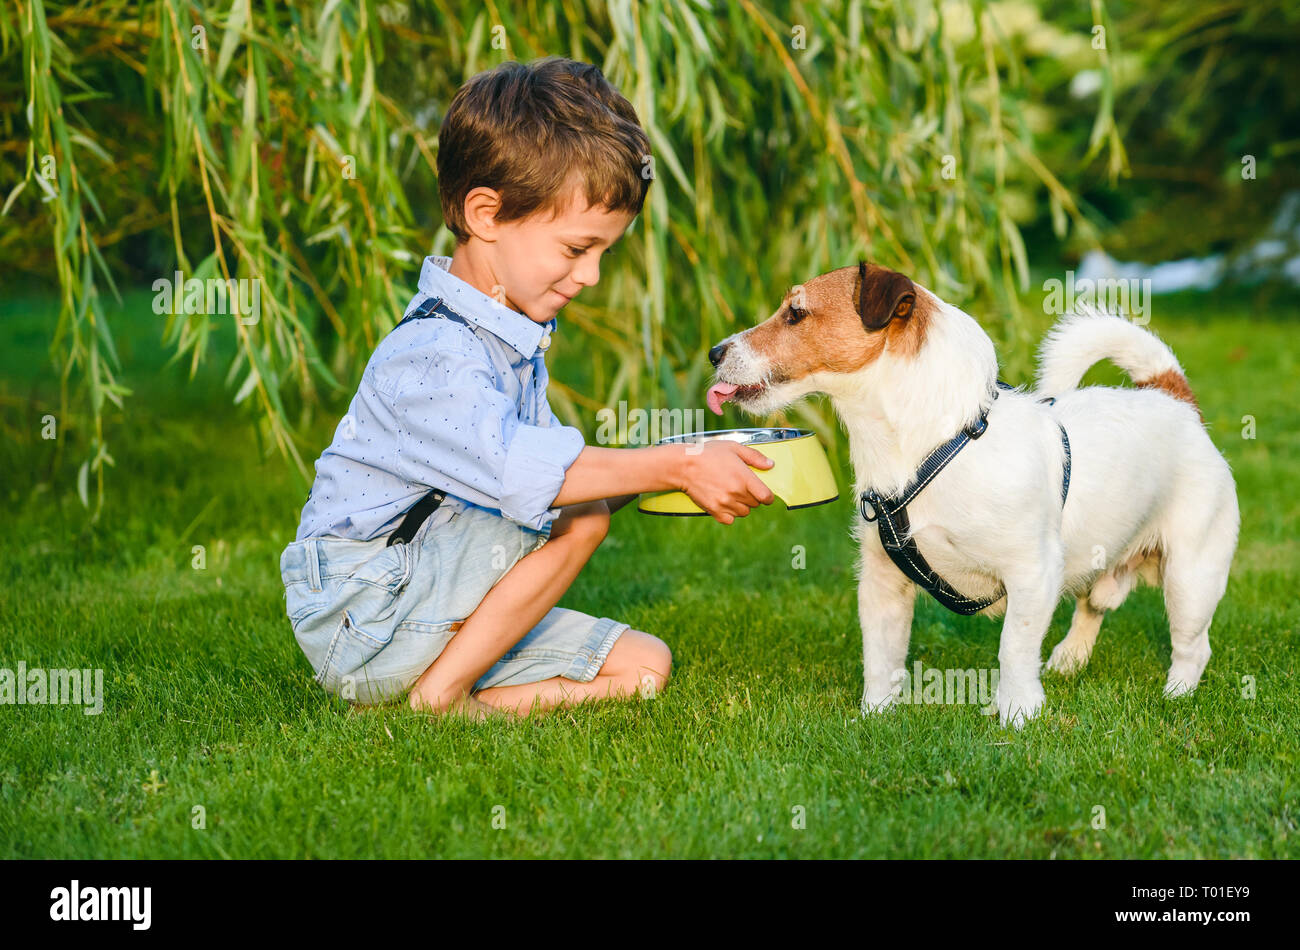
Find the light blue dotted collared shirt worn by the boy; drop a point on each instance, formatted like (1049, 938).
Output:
(457, 402)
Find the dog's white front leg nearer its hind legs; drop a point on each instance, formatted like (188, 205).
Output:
(1030, 602)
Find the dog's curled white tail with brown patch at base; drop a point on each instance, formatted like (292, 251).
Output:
(1081, 340)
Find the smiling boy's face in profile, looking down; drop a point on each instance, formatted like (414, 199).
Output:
(541, 262)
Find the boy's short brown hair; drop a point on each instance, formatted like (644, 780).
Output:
(523, 131)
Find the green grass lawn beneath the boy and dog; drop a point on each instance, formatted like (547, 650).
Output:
(206, 688)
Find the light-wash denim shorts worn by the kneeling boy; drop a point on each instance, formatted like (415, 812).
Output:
(372, 618)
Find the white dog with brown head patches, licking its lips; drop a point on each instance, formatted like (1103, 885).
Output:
(1149, 494)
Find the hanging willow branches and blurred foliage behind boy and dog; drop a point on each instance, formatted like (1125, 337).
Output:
(296, 144)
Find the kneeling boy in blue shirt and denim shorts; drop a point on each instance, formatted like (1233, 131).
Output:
(452, 511)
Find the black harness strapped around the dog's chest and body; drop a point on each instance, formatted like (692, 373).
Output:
(891, 515)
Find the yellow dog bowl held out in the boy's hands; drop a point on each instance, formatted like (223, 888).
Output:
(801, 476)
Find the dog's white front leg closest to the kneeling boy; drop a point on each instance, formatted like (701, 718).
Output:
(886, 600)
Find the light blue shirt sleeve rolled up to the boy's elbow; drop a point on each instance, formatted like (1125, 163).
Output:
(457, 432)
